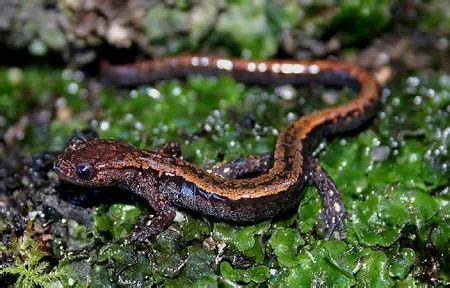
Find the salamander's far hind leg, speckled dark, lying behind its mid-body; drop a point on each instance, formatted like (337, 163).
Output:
(239, 168)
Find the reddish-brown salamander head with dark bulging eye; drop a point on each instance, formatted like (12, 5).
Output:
(96, 162)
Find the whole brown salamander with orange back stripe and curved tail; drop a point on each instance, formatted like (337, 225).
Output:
(245, 190)
